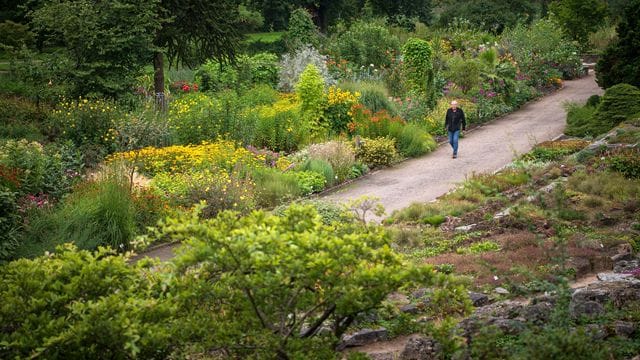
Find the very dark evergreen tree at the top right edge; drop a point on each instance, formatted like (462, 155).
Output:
(620, 62)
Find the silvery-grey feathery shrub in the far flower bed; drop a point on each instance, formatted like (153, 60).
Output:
(293, 64)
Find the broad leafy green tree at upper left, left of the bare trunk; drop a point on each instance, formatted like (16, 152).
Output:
(108, 42)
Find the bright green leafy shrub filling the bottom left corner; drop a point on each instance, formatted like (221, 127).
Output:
(76, 304)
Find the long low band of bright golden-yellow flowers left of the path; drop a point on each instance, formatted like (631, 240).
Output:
(222, 154)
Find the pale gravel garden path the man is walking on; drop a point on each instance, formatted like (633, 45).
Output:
(484, 149)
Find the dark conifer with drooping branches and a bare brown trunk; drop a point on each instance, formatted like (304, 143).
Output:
(193, 31)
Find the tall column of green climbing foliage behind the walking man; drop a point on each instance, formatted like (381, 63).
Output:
(418, 67)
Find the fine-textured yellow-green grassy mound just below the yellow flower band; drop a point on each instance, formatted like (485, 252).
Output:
(274, 187)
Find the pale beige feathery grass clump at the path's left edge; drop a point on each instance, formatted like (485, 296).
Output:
(337, 153)
